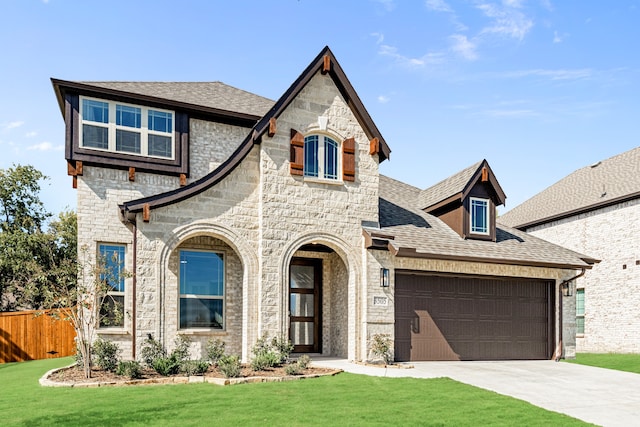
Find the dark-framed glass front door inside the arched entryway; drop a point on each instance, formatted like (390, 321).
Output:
(305, 282)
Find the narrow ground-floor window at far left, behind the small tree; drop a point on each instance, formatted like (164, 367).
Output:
(111, 260)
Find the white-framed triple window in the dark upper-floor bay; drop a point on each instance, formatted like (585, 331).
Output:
(125, 128)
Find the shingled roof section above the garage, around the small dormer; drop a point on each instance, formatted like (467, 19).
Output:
(413, 233)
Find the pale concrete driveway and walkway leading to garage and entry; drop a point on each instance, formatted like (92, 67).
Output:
(600, 396)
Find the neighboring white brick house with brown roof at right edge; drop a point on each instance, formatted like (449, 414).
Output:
(596, 210)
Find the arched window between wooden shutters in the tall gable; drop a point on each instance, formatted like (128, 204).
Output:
(321, 157)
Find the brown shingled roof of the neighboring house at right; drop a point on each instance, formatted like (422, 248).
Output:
(605, 183)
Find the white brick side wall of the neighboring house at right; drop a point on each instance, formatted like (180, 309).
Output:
(612, 299)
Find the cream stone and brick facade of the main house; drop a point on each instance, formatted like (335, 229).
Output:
(261, 217)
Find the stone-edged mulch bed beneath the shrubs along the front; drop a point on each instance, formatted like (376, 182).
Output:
(73, 376)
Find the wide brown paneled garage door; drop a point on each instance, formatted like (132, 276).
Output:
(468, 318)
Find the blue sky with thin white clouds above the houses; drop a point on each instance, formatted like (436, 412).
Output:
(539, 88)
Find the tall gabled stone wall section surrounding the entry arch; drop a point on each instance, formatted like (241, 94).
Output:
(297, 210)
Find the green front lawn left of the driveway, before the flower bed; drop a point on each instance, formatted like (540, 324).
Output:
(345, 399)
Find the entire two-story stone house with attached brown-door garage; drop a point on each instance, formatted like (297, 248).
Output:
(243, 217)
